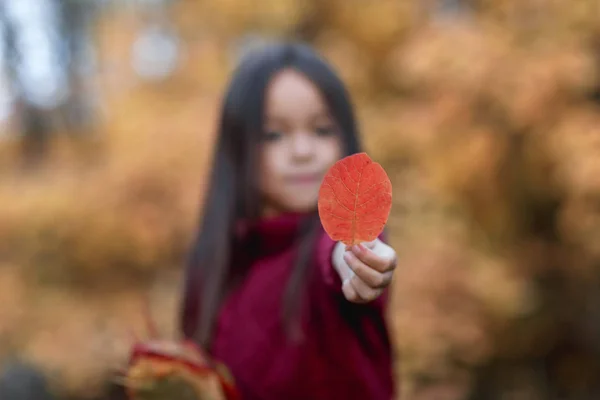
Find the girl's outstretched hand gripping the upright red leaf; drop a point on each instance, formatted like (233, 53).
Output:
(365, 269)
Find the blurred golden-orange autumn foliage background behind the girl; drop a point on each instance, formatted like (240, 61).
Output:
(485, 114)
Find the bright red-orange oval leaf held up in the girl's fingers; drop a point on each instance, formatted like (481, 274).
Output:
(355, 200)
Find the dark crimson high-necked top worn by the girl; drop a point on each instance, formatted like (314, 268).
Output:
(345, 352)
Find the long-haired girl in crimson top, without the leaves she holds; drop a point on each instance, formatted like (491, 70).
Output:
(291, 313)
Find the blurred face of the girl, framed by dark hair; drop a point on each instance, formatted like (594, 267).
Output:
(300, 143)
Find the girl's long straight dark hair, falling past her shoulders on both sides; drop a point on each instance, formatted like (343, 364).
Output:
(233, 191)
